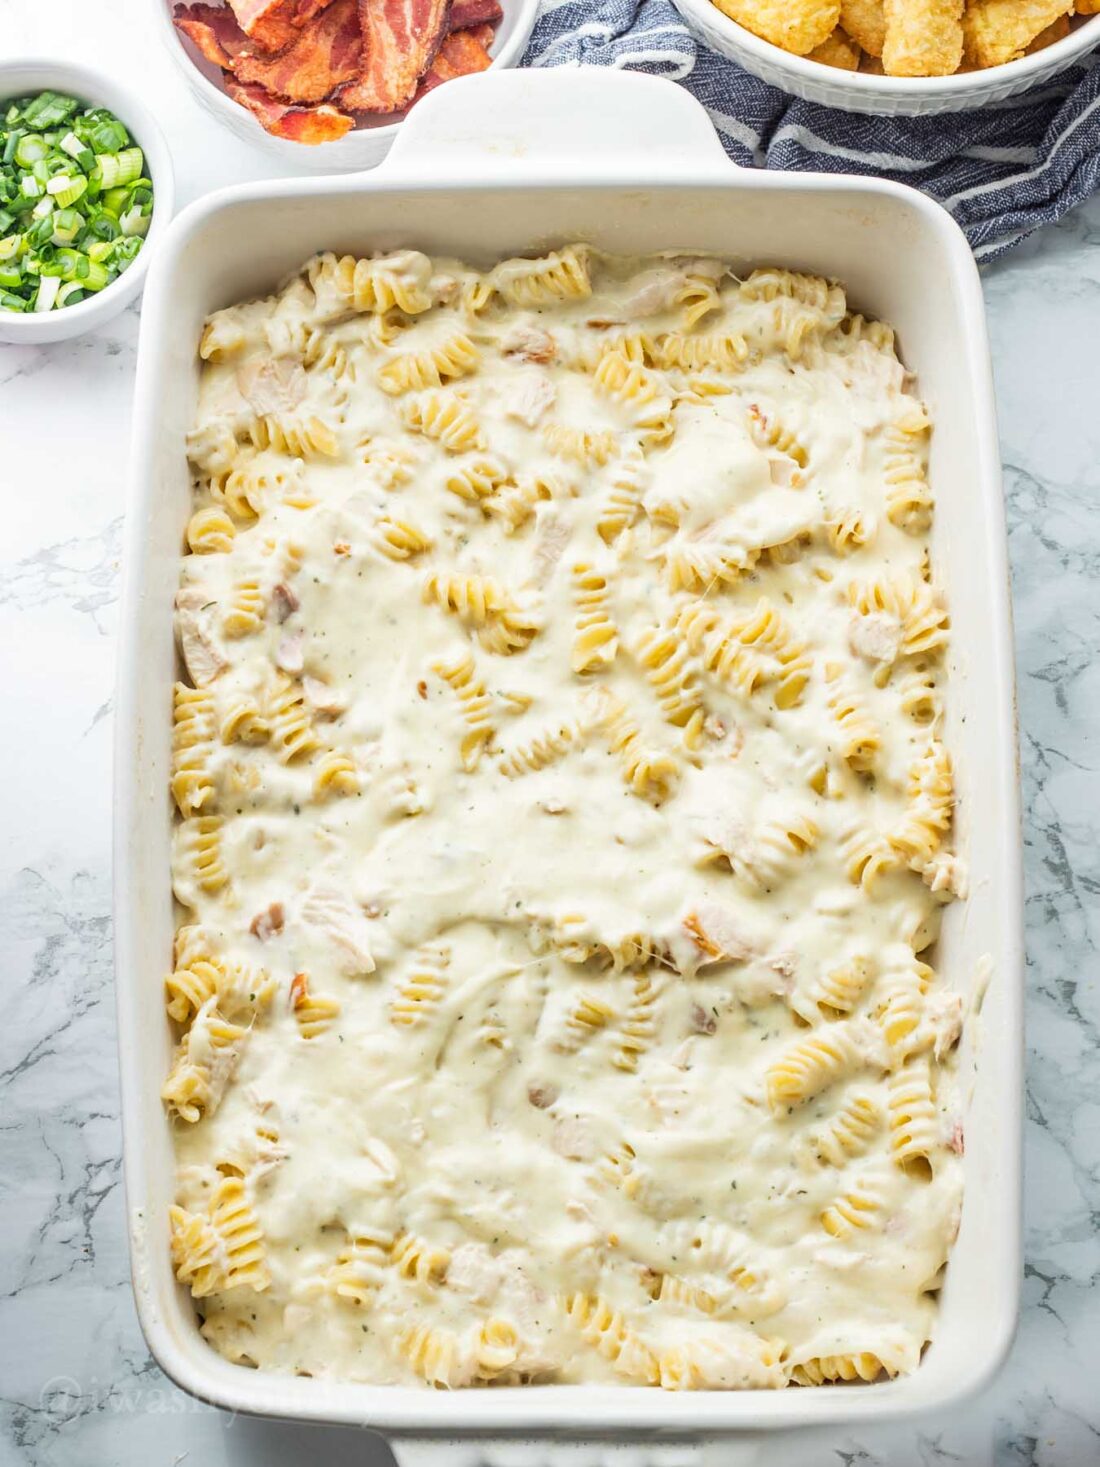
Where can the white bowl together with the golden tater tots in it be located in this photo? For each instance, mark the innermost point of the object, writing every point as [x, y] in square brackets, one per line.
[898, 56]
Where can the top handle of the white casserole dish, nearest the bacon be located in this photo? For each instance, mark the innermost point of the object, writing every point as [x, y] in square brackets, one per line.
[589, 120]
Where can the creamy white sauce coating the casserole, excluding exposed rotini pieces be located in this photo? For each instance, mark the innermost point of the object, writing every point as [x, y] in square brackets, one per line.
[501, 1129]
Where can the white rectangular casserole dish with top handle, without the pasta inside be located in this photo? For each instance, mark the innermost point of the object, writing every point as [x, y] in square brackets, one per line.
[492, 167]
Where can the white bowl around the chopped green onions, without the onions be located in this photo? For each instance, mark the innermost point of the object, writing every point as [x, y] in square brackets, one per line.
[96, 90]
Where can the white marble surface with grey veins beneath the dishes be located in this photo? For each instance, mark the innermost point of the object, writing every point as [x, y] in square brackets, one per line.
[77, 1384]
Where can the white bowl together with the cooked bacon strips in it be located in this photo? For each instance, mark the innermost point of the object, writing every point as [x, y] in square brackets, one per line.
[326, 84]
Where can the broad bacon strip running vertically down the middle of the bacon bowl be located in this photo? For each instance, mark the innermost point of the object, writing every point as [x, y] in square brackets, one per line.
[401, 40]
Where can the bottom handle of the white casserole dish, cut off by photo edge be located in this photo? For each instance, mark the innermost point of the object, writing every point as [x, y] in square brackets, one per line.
[472, 1452]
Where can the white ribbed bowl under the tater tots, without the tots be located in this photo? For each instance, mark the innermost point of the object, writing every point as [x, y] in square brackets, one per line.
[890, 96]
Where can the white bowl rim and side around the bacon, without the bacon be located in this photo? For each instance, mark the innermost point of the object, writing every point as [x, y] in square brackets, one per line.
[367, 144]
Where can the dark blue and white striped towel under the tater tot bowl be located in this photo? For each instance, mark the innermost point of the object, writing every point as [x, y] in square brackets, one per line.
[1002, 171]
